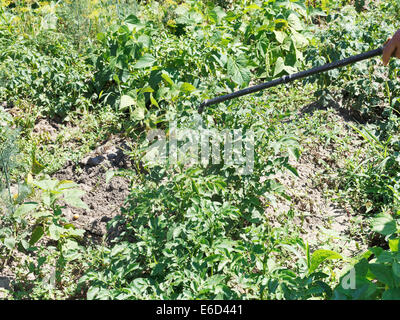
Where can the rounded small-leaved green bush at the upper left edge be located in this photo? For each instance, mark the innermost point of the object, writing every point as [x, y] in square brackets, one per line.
[45, 69]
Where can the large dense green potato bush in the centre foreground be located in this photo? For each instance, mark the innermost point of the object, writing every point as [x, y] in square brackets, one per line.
[184, 240]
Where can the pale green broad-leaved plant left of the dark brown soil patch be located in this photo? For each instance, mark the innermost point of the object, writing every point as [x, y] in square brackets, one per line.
[34, 225]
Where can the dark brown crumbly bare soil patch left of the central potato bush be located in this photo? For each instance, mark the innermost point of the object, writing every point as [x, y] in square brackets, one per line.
[103, 199]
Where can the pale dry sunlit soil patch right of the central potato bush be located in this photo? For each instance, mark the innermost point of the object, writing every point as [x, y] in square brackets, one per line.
[322, 220]
